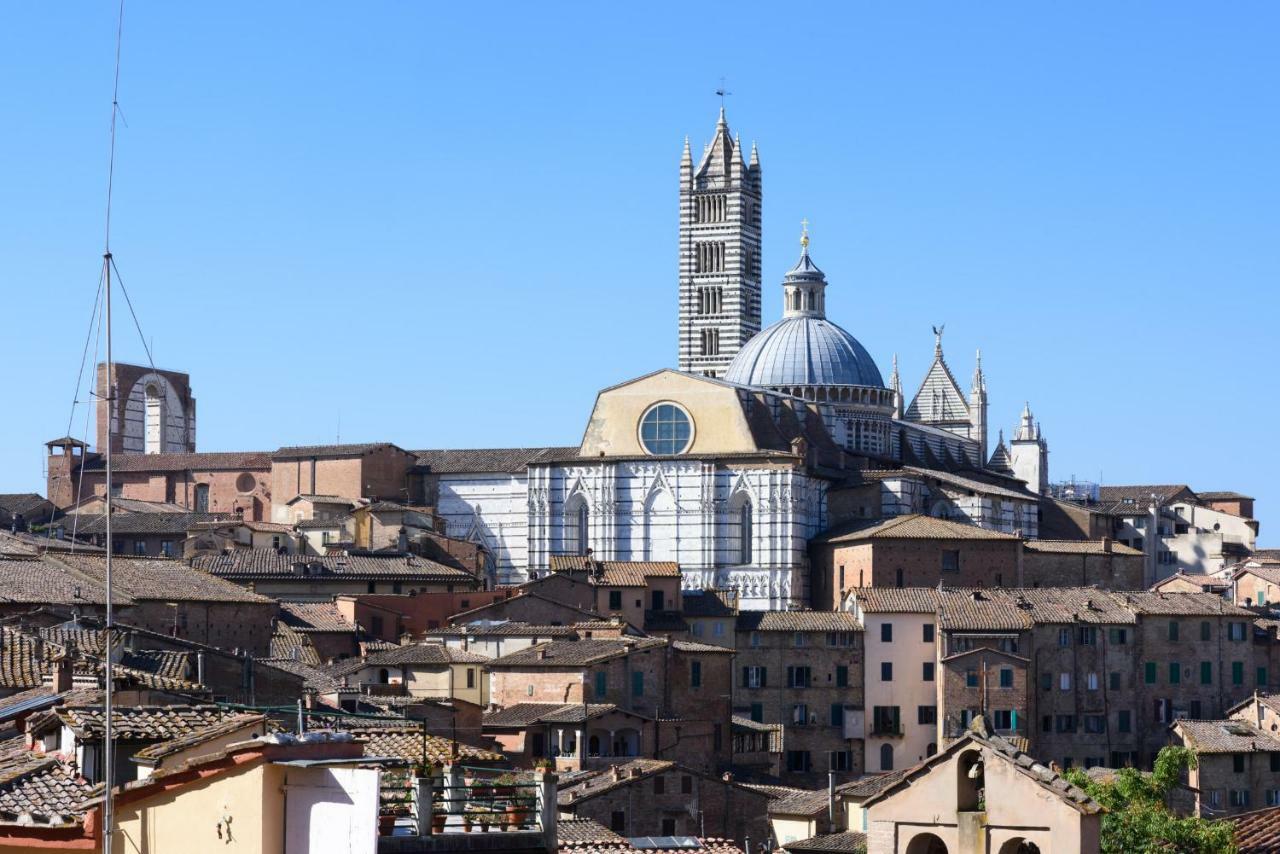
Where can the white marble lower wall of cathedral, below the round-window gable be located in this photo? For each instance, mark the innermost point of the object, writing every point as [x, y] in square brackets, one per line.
[687, 512]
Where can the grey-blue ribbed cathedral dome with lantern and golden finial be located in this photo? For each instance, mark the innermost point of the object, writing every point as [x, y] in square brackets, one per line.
[804, 349]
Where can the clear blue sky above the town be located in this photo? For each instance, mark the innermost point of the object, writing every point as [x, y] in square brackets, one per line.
[451, 225]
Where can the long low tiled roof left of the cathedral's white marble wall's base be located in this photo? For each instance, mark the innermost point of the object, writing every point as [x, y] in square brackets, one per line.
[267, 564]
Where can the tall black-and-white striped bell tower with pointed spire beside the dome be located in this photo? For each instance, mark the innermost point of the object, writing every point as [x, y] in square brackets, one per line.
[720, 254]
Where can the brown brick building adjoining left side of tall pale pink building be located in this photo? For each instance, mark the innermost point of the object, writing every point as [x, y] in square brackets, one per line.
[804, 670]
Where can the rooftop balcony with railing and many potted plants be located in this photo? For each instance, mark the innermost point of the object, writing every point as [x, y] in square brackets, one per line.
[473, 810]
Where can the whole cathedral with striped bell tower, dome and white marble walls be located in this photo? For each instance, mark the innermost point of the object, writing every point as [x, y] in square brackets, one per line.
[729, 465]
